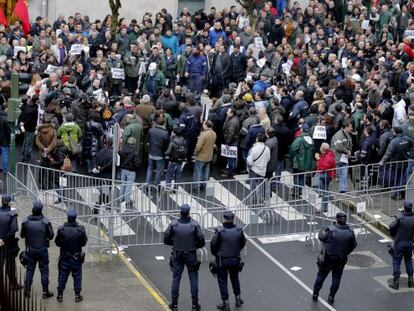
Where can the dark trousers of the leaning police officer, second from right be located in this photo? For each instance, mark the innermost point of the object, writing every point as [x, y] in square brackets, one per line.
[334, 264]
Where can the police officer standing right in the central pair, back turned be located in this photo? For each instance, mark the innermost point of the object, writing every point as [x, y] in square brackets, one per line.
[226, 245]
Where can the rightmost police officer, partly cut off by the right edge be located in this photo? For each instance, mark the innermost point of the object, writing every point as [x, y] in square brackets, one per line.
[402, 230]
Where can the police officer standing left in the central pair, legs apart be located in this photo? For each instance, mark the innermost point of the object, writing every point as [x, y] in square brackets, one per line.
[185, 236]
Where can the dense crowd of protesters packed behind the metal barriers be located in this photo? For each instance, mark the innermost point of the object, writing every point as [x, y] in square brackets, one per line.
[303, 83]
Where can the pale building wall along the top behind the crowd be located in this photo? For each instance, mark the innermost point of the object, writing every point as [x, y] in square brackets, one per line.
[130, 8]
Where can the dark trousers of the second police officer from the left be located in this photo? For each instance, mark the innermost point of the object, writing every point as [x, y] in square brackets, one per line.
[40, 256]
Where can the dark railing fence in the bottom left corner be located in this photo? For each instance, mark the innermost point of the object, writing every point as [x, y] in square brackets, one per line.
[11, 294]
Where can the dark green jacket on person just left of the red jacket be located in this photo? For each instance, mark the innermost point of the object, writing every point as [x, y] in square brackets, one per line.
[302, 153]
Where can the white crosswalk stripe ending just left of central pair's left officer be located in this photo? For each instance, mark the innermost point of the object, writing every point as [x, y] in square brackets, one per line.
[140, 199]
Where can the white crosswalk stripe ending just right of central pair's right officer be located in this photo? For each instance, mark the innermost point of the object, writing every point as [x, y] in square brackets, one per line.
[232, 203]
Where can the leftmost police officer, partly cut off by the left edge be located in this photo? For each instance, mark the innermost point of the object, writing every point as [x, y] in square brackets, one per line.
[8, 242]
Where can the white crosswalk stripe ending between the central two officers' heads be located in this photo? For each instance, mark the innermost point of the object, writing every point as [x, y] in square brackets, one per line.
[182, 197]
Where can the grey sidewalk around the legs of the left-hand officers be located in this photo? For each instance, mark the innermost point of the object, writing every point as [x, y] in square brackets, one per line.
[107, 285]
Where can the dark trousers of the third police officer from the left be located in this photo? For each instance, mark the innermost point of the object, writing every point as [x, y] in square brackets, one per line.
[68, 265]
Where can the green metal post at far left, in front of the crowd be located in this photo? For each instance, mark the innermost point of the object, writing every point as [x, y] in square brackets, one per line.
[13, 113]
